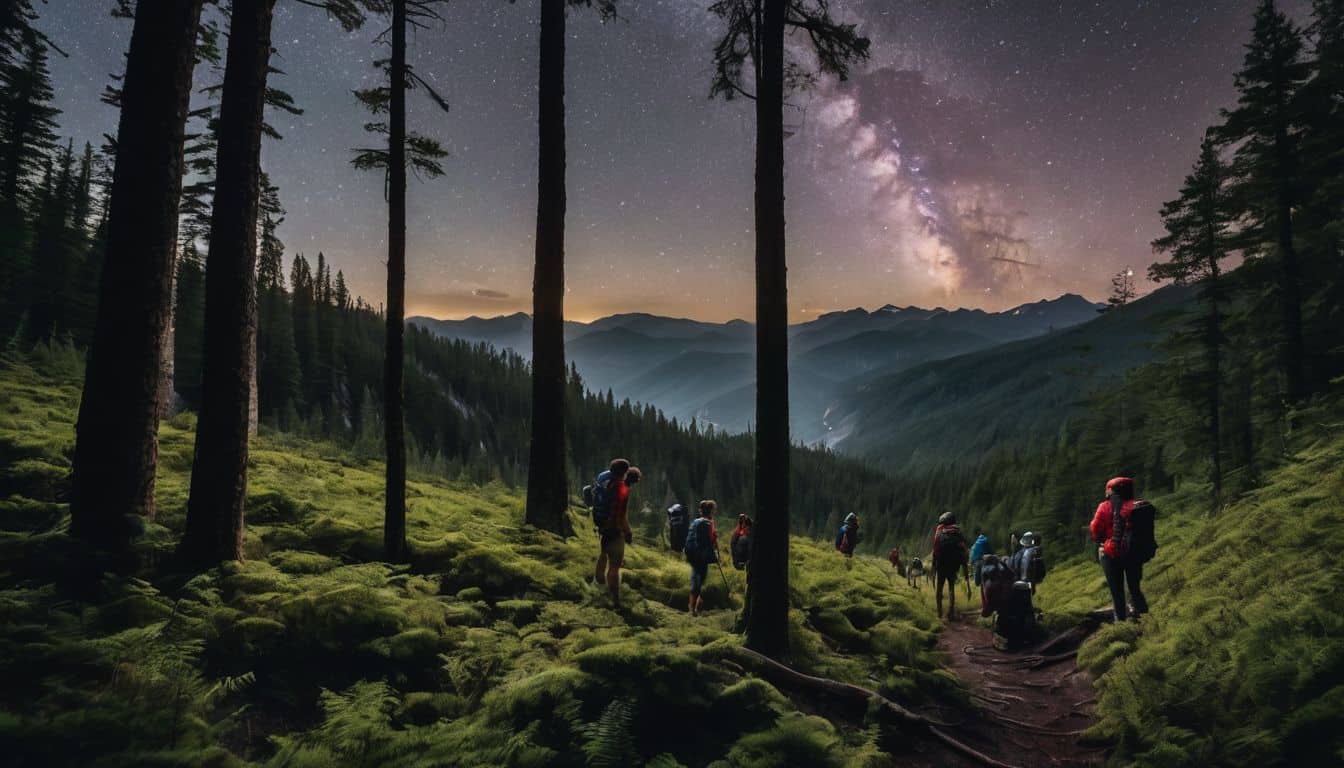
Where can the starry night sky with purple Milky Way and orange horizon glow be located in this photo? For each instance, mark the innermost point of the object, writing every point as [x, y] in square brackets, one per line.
[991, 153]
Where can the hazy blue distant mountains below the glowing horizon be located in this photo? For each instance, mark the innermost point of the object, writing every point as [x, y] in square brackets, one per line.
[693, 369]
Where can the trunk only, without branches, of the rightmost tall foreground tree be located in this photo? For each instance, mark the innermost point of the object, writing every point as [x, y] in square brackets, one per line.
[768, 621]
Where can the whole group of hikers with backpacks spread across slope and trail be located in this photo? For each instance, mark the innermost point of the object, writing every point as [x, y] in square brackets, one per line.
[1123, 528]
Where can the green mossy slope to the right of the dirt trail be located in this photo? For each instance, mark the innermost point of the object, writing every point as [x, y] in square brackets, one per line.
[1241, 661]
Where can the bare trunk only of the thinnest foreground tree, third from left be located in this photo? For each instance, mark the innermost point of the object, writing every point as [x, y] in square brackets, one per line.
[394, 422]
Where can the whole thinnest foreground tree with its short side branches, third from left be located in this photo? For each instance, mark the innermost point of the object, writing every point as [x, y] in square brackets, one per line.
[404, 150]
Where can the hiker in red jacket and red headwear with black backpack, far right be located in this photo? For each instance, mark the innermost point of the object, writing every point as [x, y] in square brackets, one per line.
[1124, 531]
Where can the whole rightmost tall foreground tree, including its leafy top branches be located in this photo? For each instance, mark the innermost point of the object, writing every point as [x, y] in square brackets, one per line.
[756, 33]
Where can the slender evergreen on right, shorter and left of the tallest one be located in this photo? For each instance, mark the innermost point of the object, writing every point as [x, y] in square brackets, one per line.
[1200, 237]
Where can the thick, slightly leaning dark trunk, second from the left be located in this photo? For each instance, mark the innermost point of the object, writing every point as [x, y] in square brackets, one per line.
[220, 471]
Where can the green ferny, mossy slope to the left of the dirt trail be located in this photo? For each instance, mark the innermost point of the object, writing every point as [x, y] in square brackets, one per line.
[490, 649]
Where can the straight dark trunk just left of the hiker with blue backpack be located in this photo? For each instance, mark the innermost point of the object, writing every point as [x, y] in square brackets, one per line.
[548, 489]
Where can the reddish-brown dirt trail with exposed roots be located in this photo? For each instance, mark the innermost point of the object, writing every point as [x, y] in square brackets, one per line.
[1027, 718]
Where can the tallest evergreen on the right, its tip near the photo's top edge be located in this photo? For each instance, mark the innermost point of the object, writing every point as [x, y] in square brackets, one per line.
[1265, 128]
